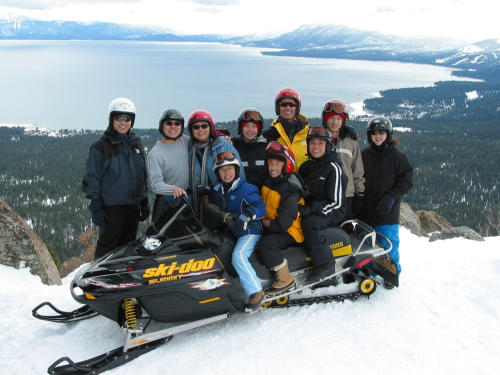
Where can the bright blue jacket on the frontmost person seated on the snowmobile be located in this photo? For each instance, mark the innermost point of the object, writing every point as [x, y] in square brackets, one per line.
[240, 196]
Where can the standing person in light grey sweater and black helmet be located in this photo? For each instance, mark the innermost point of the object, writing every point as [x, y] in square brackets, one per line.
[168, 163]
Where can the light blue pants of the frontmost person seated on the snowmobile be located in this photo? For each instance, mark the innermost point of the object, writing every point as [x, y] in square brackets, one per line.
[242, 251]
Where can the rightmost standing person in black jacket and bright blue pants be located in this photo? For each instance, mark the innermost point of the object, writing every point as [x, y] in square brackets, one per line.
[388, 176]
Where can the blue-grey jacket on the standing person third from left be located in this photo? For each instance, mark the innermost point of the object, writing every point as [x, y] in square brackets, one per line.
[214, 148]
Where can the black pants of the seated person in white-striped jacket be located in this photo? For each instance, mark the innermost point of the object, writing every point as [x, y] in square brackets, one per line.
[316, 240]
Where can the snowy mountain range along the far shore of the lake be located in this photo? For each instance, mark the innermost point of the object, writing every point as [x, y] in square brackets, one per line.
[477, 60]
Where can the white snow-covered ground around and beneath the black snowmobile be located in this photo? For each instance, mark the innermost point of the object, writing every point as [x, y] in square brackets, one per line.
[442, 319]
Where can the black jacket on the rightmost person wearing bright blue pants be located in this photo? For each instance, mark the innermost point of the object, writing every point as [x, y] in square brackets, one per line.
[387, 170]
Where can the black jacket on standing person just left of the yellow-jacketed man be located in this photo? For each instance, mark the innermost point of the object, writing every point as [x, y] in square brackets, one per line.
[253, 158]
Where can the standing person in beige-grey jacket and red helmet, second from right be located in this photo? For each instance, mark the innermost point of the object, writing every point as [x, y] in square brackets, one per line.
[335, 117]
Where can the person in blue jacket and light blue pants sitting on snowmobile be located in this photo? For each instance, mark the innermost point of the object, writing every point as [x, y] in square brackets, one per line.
[243, 207]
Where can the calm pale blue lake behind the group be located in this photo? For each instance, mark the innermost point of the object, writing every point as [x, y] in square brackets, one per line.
[68, 84]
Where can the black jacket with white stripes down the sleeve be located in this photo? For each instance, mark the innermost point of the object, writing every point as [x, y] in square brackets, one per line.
[327, 185]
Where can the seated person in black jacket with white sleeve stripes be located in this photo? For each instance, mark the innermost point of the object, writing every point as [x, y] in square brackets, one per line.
[325, 204]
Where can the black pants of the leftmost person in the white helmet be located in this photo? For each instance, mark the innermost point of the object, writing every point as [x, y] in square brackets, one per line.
[120, 228]
